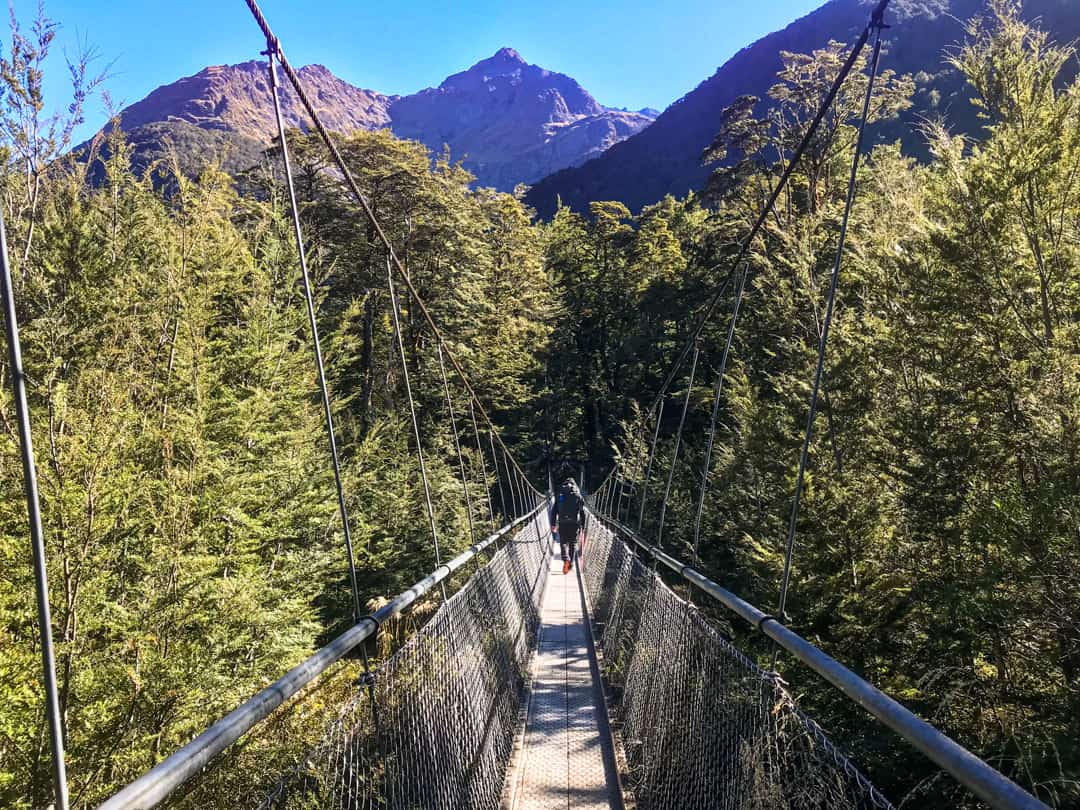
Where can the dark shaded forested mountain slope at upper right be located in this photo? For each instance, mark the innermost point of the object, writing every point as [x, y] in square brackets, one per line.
[666, 159]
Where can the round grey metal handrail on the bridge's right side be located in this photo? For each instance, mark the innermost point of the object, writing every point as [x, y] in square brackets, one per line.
[991, 786]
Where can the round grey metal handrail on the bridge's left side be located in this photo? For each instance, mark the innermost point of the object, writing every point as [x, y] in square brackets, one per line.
[156, 786]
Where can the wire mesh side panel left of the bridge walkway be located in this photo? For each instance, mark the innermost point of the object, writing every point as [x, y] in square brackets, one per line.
[438, 728]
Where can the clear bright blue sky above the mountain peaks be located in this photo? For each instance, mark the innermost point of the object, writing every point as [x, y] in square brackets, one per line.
[628, 53]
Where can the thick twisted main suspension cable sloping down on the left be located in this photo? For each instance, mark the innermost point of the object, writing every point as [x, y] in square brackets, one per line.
[275, 45]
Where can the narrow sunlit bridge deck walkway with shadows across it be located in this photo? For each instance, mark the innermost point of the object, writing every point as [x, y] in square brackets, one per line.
[565, 758]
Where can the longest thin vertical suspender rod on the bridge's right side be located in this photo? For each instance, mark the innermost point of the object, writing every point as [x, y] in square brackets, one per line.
[825, 332]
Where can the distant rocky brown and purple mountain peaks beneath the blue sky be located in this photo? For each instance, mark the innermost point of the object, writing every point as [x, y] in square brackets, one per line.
[508, 121]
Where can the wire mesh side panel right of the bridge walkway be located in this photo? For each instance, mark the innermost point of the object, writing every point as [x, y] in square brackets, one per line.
[701, 725]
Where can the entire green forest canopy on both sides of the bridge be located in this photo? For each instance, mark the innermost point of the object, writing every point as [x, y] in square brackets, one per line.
[188, 502]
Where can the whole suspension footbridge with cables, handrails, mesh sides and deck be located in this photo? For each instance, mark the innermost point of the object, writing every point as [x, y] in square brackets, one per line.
[531, 688]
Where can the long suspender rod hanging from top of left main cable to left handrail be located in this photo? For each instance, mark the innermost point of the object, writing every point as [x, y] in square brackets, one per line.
[272, 53]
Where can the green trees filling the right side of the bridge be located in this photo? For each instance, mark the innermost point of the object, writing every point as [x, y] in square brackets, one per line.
[937, 548]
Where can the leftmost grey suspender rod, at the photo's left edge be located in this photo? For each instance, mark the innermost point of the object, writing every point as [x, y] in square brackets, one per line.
[37, 535]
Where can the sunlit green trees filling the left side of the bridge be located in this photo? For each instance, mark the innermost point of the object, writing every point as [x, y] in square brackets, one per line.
[193, 533]
